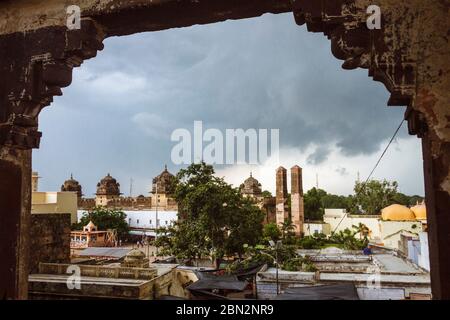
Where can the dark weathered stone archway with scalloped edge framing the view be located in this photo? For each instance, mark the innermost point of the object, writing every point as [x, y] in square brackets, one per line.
[409, 54]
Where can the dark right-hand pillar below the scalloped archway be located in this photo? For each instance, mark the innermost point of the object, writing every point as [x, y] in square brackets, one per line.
[436, 158]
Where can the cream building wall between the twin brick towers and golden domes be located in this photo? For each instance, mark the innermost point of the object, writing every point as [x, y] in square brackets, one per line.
[334, 216]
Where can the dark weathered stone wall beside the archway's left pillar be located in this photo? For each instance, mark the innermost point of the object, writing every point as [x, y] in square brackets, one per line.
[49, 239]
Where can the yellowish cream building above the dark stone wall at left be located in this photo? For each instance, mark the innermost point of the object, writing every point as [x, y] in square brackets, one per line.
[55, 202]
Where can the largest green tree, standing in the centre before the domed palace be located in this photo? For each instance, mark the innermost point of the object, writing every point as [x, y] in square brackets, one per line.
[221, 219]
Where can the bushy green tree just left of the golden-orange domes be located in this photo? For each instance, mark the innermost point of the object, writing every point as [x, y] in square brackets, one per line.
[370, 198]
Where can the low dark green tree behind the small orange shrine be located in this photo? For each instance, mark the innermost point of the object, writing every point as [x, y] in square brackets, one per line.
[104, 219]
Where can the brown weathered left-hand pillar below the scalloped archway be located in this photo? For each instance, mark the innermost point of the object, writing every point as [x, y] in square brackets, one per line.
[15, 207]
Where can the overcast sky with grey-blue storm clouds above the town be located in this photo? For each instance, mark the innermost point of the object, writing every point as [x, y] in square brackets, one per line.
[262, 73]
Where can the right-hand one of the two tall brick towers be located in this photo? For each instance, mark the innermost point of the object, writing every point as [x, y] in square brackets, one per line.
[297, 205]
